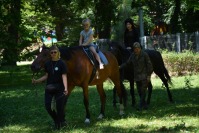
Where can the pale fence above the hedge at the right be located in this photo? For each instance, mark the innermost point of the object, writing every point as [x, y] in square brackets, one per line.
[173, 42]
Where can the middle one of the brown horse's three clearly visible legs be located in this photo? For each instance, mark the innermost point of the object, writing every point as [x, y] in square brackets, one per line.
[102, 99]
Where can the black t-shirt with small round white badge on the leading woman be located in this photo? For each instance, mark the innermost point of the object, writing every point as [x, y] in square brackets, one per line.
[55, 69]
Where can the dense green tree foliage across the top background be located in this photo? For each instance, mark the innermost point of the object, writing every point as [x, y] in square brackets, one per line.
[22, 22]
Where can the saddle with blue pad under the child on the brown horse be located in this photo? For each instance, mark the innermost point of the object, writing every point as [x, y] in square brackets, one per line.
[94, 61]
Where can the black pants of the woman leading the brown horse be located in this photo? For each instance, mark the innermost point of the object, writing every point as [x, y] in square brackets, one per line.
[58, 116]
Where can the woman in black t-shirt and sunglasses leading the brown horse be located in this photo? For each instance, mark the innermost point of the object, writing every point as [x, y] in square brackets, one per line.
[55, 74]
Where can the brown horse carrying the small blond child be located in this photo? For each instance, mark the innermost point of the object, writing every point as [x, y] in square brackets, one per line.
[79, 71]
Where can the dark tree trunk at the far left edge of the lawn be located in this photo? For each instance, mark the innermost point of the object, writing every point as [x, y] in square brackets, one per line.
[11, 53]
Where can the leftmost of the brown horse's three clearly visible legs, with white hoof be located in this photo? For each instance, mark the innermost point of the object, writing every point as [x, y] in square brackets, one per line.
[86, 104]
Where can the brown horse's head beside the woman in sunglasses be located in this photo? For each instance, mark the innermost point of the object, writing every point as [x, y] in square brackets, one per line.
[39, 62]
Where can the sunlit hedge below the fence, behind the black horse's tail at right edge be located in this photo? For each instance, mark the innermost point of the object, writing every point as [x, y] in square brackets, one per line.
[180, 64]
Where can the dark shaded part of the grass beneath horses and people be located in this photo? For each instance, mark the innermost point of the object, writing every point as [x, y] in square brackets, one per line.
[20, 106]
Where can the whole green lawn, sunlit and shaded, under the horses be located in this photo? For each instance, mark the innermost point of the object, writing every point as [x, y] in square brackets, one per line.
[22, 108]
